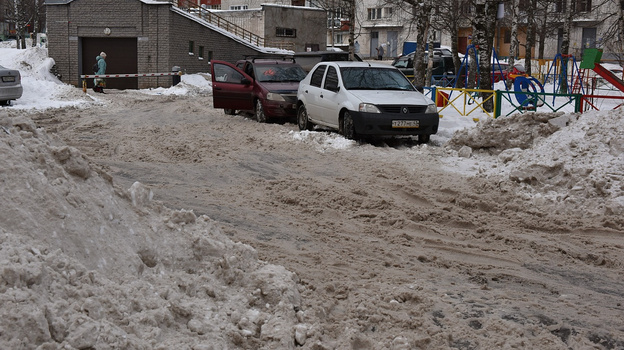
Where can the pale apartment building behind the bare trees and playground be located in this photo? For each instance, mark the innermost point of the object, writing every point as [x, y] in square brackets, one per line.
[378, 23]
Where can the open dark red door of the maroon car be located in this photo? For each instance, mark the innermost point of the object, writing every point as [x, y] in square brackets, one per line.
[231, 87]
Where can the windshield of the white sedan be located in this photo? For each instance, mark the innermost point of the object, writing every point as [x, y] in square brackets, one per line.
[367, 78]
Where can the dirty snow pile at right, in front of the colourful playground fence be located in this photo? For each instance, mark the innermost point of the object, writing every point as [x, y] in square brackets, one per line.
[573, 162]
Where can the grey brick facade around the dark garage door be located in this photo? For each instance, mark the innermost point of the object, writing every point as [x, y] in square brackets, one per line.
[162, 35]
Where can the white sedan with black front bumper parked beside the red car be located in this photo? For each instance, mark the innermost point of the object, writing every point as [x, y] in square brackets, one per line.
[361, 99]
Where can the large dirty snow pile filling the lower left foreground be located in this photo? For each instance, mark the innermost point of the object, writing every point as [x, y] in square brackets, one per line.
[87, 265]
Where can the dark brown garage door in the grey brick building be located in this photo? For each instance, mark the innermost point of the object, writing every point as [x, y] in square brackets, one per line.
[121, 58]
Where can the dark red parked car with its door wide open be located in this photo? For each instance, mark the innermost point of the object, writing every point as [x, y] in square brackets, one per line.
[266, 87]
